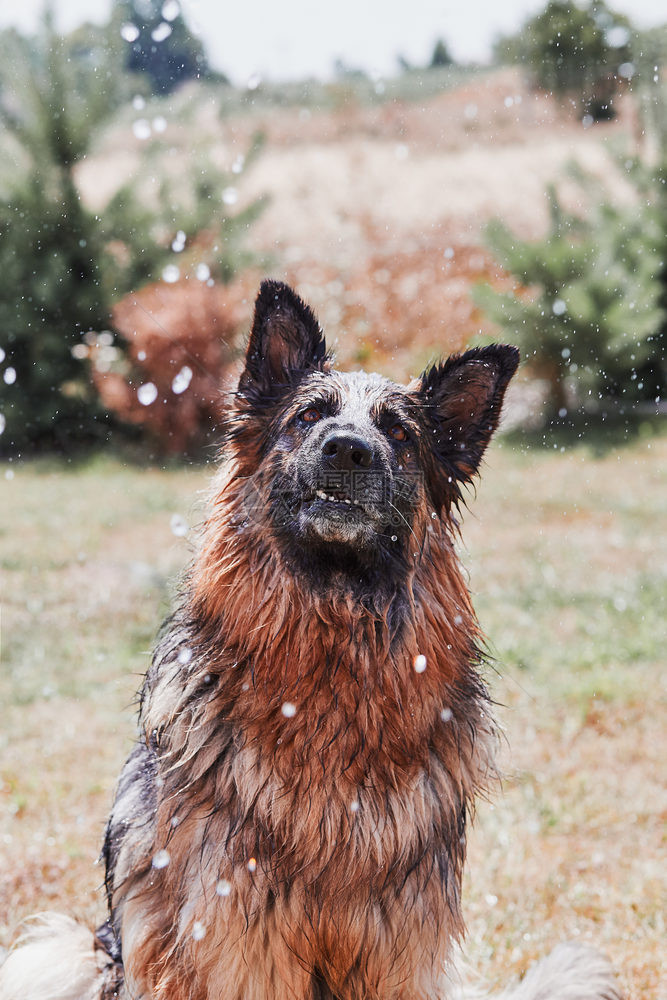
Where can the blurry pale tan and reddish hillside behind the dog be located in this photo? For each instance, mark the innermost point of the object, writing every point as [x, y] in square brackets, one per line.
[376, 211]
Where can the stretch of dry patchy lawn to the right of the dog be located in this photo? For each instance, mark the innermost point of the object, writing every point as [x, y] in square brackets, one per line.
[569, 560]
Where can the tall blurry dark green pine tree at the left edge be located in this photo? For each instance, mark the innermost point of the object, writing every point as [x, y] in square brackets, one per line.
[49, 255]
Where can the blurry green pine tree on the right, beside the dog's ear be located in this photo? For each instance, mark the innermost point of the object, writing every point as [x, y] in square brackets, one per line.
[590, 302]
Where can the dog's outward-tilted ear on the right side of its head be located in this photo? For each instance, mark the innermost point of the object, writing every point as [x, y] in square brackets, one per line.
[462, 399]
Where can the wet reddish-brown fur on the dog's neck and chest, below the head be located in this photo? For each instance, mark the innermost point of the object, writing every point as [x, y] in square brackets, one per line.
[369, 734]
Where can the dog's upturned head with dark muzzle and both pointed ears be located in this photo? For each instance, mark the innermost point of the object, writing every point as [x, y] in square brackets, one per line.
[346, 469]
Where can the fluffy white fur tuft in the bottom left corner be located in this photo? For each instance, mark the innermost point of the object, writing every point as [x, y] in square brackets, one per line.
[53, 959]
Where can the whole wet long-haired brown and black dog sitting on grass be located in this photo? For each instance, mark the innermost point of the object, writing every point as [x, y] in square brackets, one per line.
[314, 726]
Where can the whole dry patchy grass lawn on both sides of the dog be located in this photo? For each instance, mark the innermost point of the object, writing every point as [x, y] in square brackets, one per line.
[566, 554]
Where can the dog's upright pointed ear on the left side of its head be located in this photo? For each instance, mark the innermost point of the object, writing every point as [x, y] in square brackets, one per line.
[285, 343]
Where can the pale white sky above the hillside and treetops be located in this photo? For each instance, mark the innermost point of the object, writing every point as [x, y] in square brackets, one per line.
[294, 39]
